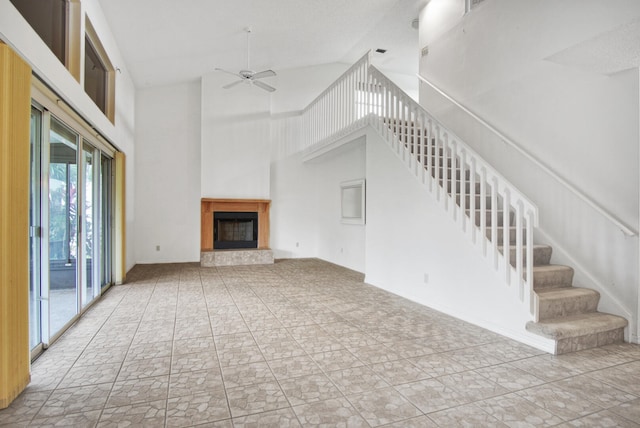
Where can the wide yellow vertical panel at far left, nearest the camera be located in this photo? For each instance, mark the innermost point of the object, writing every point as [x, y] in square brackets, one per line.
[15, 107]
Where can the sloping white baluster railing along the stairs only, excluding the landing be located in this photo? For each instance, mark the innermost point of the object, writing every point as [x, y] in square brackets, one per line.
[436, 155]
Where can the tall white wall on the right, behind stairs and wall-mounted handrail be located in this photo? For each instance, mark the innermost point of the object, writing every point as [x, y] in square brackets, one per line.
[529, 80]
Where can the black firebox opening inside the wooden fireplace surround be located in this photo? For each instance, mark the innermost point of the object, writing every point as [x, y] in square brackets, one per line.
[235, 230]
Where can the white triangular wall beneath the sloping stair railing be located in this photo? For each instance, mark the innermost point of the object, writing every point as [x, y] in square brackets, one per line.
[427, 241]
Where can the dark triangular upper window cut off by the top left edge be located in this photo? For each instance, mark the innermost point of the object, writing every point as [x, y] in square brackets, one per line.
[49, 19]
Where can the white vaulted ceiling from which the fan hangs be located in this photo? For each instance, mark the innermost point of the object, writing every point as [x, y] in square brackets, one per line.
[166, 41]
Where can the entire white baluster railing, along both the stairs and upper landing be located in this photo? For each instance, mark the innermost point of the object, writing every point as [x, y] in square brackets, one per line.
[492, 212]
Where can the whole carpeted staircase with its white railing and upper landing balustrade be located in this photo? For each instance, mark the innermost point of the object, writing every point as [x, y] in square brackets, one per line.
[490, 210]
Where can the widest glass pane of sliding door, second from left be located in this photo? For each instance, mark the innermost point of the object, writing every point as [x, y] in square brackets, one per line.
[63, 226]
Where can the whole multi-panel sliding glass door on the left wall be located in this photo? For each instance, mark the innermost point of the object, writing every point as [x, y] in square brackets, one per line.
[70, 251]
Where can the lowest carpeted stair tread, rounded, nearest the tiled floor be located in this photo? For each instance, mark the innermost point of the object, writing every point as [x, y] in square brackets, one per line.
[577, 325]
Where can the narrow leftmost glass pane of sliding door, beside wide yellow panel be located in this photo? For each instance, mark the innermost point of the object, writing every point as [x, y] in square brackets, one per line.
[35, 309]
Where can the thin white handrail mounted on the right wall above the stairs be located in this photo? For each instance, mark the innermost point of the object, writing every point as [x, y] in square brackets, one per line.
[626, 229]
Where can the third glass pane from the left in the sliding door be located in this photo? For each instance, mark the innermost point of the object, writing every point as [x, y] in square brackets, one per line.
[87, 220]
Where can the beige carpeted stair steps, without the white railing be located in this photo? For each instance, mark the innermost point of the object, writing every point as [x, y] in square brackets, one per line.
[566, 314]
